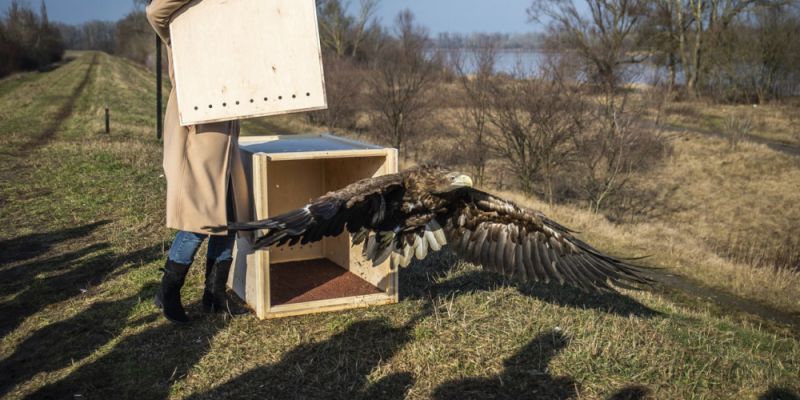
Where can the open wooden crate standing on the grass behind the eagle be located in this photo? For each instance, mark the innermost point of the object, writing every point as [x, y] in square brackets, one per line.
[286, 172]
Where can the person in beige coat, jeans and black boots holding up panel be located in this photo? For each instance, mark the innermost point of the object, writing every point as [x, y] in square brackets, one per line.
[206, 186]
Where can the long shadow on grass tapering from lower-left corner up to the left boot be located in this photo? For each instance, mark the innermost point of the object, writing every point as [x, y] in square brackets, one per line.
[57, 345]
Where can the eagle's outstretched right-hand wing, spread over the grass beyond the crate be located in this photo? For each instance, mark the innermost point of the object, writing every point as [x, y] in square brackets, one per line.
[524, 244]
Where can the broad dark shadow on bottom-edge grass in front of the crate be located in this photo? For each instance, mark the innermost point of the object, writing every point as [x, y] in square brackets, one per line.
[336, 368]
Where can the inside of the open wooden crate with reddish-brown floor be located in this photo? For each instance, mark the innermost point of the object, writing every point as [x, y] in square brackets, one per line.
[322, 270]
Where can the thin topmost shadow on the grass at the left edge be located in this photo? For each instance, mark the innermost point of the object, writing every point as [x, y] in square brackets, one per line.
[33, 245]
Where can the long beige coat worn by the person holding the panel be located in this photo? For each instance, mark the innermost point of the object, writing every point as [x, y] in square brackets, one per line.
[200, 161]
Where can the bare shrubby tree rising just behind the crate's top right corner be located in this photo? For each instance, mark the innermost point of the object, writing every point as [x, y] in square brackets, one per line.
[400, 85]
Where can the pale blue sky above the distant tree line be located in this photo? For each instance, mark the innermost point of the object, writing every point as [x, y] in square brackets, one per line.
[463, 16]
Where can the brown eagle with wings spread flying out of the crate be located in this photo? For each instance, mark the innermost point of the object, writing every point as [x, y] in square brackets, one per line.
[421, 210]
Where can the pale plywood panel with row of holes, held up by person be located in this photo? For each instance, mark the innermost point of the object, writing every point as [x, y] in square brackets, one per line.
[246, 58]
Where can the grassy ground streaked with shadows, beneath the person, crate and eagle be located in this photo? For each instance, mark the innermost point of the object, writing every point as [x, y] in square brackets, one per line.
[84, 236]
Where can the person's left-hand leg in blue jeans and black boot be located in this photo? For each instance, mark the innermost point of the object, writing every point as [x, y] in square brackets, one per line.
[181, 255]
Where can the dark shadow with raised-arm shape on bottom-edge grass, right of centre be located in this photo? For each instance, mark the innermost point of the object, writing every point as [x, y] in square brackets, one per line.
[525, 375]
